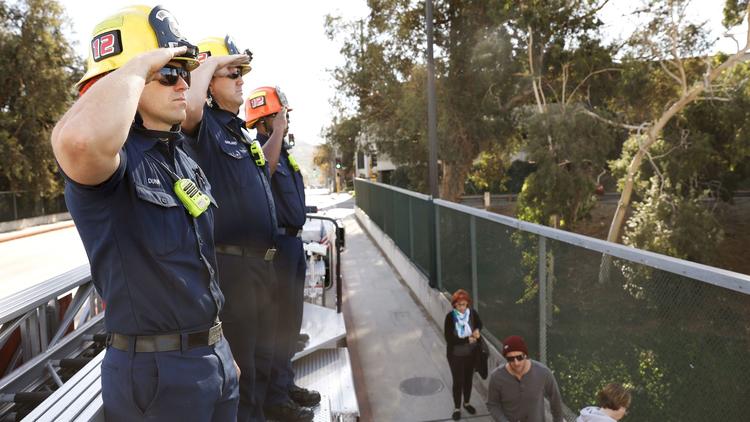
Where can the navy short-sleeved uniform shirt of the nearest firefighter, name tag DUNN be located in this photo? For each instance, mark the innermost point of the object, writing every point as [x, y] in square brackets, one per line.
[152, 263]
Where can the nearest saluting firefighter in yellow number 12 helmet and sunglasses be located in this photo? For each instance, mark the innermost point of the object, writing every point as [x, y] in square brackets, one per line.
[144, 212]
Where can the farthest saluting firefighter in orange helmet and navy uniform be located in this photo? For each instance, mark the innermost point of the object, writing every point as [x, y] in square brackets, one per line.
[288, 189]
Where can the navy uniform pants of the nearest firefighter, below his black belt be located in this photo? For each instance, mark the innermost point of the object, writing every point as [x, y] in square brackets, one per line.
[199, 384]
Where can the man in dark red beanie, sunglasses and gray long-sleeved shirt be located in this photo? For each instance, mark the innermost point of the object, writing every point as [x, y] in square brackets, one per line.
[518, 388]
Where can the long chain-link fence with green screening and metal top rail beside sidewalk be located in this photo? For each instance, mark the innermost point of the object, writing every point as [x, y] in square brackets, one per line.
[677, 332]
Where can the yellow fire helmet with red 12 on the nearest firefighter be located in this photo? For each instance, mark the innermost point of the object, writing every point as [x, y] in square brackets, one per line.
[132, 31]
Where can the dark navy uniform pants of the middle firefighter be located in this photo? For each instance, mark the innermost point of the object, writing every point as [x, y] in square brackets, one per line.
[249, 321]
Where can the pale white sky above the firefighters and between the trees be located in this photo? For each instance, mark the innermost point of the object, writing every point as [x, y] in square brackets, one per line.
[289, 44]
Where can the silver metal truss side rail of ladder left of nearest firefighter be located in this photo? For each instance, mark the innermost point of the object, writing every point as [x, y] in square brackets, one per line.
[45, 329]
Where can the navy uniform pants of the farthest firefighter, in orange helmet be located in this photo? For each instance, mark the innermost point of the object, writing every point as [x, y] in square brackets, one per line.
[290, 268]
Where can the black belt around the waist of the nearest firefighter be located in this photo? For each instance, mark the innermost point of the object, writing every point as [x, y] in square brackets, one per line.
[166, 342]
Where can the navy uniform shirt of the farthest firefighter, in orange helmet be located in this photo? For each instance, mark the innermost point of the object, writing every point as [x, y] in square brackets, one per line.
[288, 191]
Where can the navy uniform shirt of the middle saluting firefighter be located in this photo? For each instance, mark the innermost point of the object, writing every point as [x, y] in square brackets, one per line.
[246, 216]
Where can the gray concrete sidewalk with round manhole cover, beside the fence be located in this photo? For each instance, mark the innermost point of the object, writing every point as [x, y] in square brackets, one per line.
[398, 354]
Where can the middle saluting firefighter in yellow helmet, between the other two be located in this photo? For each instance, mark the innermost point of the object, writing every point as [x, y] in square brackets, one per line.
[245, 223]
